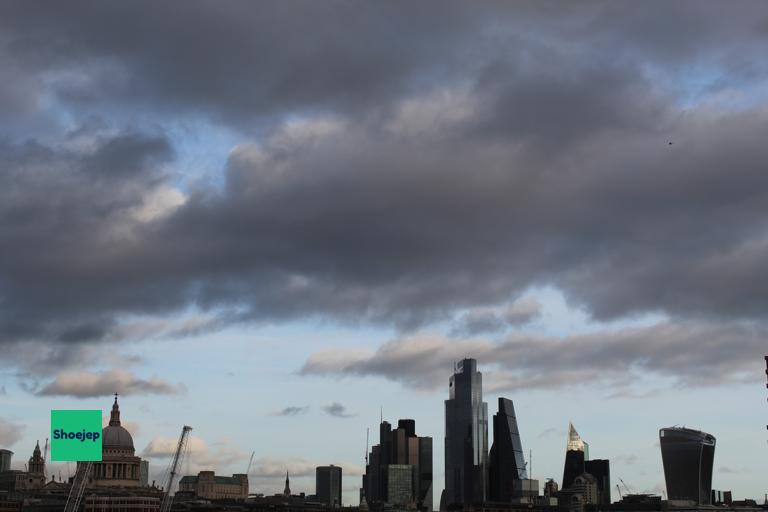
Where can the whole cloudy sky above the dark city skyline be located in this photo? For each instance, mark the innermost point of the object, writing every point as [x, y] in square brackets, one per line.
[268, 221]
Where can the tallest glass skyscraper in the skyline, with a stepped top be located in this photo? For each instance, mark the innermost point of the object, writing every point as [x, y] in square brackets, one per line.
[466, 437]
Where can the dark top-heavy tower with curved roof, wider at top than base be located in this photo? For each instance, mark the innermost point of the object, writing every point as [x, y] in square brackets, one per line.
[688, 456]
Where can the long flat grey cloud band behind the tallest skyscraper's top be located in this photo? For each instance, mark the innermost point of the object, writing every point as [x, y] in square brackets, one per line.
[675, 351]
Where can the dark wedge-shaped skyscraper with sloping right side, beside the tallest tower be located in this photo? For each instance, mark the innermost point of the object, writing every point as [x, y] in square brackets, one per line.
[506, 461]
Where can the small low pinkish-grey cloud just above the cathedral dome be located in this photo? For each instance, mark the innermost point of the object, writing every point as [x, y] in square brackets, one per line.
[93, 384]
